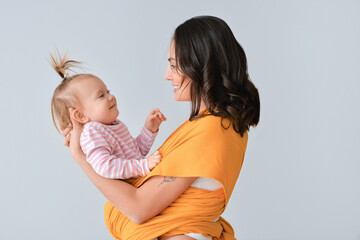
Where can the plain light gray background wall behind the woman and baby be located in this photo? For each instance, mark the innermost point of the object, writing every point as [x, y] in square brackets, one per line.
[300, 178]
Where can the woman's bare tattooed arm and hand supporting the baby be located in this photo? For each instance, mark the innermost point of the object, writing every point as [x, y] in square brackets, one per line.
[138, 204]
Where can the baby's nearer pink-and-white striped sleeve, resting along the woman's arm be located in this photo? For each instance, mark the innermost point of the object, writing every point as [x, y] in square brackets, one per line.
[96, 144]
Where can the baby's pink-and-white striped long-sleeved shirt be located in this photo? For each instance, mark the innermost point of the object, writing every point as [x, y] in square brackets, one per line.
[113, 152]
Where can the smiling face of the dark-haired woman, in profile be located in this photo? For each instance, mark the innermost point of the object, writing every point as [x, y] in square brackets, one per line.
[174, 75]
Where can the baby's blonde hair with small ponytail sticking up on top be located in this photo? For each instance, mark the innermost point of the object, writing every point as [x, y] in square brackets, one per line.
[64, 97]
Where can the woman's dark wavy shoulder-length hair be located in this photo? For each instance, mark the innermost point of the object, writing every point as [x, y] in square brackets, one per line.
[207, 52]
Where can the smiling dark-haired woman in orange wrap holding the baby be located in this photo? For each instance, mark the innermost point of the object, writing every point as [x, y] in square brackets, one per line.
[183, 197]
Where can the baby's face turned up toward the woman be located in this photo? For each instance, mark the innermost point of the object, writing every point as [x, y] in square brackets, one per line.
[97, 102]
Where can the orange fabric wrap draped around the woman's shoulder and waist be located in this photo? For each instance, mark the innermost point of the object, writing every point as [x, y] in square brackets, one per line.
[200, 148]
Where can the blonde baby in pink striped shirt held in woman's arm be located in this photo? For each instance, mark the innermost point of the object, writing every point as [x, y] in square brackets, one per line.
[105, 140]
